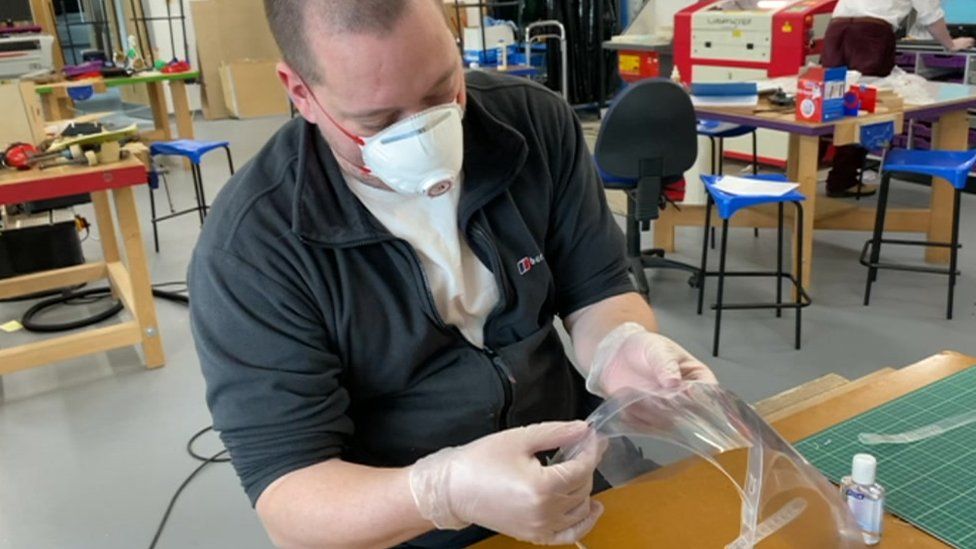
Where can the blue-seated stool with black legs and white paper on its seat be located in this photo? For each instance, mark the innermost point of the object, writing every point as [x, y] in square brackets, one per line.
[728, 205]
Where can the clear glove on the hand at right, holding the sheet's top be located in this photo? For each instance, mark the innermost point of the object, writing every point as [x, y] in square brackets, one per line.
[631, 356]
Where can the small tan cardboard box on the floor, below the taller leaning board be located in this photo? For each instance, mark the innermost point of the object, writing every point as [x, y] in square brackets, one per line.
[251, 89]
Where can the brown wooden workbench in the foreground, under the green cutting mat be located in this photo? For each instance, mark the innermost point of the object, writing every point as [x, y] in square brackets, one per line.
[655, 512]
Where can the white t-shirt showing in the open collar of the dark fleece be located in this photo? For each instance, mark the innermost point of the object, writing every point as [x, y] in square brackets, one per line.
[464, 290]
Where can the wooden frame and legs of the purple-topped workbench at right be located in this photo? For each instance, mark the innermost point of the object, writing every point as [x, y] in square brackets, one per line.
[951, 132]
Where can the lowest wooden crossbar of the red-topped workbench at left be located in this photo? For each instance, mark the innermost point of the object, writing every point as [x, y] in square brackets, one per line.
[63, 348]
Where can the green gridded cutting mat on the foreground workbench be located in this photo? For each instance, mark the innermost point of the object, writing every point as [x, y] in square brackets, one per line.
[930, 483]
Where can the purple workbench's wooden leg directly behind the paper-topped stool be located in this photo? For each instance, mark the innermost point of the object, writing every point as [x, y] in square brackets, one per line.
[804, 156]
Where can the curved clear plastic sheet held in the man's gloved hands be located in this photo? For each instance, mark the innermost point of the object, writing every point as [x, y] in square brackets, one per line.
[785, 501]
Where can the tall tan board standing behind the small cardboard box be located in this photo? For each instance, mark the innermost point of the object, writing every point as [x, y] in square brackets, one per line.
[227, 31]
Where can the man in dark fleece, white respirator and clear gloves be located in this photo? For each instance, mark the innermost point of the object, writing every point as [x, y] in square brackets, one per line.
[375, 320]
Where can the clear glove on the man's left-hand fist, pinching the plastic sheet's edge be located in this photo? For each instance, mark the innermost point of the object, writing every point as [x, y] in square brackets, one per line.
[498, 483]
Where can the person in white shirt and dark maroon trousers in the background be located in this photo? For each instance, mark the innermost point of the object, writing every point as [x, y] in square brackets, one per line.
[861, 37]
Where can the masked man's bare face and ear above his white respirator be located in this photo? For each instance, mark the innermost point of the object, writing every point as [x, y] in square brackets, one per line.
[370, 82]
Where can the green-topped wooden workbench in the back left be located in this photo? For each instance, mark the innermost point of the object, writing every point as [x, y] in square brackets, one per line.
[56, 100]
